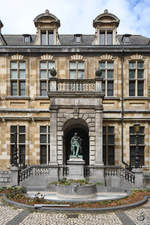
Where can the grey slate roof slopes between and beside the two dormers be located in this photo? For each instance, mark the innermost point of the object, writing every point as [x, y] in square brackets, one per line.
[69, 39]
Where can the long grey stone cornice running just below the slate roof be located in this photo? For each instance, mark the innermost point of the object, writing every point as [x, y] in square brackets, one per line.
[73, 50]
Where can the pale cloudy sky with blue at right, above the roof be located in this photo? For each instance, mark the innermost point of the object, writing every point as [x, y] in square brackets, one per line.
[76, 16]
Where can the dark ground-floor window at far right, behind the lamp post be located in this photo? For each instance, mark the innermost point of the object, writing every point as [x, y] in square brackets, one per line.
[140, 143]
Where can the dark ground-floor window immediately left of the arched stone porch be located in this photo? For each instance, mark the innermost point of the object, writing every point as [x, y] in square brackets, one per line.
[44, 144]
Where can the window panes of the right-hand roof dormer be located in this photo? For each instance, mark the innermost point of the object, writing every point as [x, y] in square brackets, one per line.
[106, 38]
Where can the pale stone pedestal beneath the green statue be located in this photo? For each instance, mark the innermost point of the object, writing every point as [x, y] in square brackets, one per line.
[75, 168]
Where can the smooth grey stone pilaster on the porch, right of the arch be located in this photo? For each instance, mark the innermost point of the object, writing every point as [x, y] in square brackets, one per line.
[99, 138]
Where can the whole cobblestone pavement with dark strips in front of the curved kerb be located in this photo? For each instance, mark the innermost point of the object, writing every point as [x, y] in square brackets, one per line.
[13, 216]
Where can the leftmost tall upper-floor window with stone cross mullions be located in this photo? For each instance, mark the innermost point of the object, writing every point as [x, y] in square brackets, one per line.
[18, 78]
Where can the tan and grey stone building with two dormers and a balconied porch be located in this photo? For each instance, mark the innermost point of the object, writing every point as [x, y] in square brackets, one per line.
[101, 89]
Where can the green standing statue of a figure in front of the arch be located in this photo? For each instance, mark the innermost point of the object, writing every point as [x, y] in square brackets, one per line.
[75, 145]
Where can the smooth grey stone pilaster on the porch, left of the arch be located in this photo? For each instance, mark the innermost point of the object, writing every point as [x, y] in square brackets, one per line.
[53, 137]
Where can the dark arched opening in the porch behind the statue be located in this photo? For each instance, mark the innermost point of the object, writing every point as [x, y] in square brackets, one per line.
[70, 127]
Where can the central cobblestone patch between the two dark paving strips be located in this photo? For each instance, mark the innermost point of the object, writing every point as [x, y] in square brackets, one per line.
[64, 219]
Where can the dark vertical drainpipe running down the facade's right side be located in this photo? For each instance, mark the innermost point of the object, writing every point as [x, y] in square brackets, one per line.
[122, 109]
